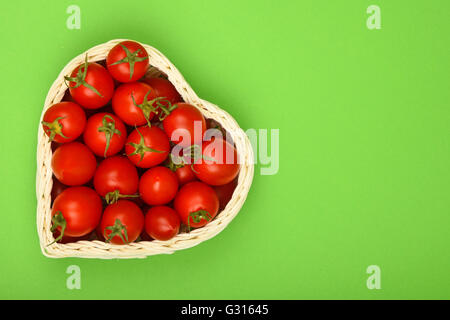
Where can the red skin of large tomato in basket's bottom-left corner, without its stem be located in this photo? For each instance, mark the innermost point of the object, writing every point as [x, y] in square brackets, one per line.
[81, 207]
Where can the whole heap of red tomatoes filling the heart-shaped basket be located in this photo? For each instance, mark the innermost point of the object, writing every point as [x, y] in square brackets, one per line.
[115, 138]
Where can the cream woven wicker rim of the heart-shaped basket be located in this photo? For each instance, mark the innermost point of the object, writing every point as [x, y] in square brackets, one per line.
[102, 250]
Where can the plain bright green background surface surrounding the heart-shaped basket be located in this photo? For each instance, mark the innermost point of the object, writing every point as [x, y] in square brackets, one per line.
[364, 146]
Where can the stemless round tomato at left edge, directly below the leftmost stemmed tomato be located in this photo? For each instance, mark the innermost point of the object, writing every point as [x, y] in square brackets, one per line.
[73, 164]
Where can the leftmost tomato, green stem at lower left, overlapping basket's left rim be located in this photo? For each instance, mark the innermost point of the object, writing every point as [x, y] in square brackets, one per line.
[64, 122]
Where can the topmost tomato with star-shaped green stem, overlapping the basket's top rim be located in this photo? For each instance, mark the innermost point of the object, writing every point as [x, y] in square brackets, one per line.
[127, 61]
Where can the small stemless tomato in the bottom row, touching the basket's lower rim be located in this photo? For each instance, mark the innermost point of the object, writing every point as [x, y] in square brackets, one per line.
[162, 223]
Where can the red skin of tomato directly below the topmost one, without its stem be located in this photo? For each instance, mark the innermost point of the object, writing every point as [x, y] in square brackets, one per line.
[124, 107]
